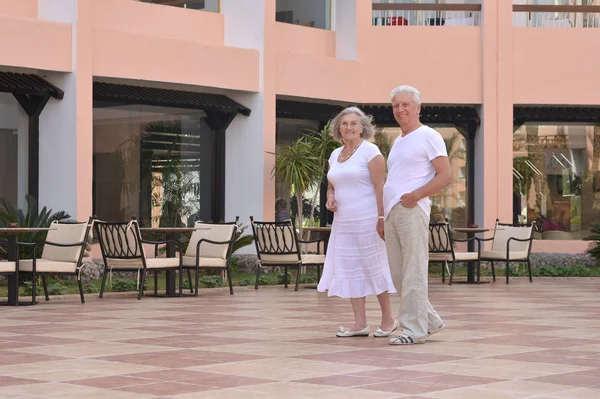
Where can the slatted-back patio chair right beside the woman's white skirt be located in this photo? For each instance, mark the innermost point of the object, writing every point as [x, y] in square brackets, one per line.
[277, 244]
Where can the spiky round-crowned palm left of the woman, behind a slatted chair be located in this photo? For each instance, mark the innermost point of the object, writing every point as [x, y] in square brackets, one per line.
[300, 167]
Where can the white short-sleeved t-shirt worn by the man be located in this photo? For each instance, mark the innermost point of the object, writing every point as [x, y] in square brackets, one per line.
[409, 166]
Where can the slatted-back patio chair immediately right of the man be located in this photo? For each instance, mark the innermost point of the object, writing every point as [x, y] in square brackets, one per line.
[441, 249]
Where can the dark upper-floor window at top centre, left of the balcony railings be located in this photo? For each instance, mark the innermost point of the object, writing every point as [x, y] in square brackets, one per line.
[313, 13]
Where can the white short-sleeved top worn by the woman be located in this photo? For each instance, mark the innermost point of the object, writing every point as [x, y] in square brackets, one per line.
[354, 191]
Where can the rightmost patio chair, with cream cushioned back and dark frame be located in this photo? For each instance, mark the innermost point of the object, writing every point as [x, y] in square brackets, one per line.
[511, 243]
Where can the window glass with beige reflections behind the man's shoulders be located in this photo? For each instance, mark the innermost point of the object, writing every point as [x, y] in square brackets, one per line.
[451, 202]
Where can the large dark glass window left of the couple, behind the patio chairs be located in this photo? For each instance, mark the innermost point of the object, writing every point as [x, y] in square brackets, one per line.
[153, 162]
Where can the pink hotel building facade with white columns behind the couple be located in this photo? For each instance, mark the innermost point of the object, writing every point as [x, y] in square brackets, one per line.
[132, 75]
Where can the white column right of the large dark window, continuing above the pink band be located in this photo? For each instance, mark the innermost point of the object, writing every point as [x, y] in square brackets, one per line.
[245, 141]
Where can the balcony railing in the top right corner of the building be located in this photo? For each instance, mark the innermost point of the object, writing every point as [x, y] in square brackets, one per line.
[556, 16]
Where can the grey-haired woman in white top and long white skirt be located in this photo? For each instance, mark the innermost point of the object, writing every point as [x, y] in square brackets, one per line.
[356, 264]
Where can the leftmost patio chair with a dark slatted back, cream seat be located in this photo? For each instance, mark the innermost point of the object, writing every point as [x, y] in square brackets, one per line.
[122, 249]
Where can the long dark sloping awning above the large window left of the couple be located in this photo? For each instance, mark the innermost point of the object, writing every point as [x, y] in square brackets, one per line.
[125, 94]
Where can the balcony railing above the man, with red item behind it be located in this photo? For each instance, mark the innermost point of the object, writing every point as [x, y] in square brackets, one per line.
[426, 14]
